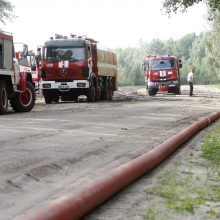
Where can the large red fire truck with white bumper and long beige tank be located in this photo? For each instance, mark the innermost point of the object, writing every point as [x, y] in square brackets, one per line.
[74, 66]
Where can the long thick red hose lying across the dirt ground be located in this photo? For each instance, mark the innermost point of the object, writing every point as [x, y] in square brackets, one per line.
[75, 205]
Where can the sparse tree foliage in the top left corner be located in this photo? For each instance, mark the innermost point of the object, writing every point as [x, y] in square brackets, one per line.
[6, 11]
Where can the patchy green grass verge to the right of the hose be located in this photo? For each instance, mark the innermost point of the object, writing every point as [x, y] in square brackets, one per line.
[194, 190]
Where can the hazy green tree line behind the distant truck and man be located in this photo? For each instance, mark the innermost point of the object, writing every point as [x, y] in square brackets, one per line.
[195, 52]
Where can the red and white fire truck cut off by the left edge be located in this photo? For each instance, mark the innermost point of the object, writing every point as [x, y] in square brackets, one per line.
[16, 82]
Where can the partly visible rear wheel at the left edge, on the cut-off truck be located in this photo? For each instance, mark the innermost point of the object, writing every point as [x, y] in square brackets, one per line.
[3, 98]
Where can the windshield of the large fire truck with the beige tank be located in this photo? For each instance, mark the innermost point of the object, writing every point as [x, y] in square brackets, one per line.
[65, 53]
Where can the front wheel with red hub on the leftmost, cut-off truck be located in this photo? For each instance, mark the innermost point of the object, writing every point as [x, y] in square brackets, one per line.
[24, 102]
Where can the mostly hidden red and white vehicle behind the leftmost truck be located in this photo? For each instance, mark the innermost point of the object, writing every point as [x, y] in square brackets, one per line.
[34, 68]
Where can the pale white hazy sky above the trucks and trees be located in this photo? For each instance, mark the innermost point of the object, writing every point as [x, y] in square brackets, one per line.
[114, 23]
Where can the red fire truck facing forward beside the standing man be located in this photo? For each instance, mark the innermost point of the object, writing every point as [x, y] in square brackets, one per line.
[162, 74]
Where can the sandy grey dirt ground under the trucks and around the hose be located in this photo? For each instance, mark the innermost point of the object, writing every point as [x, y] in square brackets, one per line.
[61, 147]
